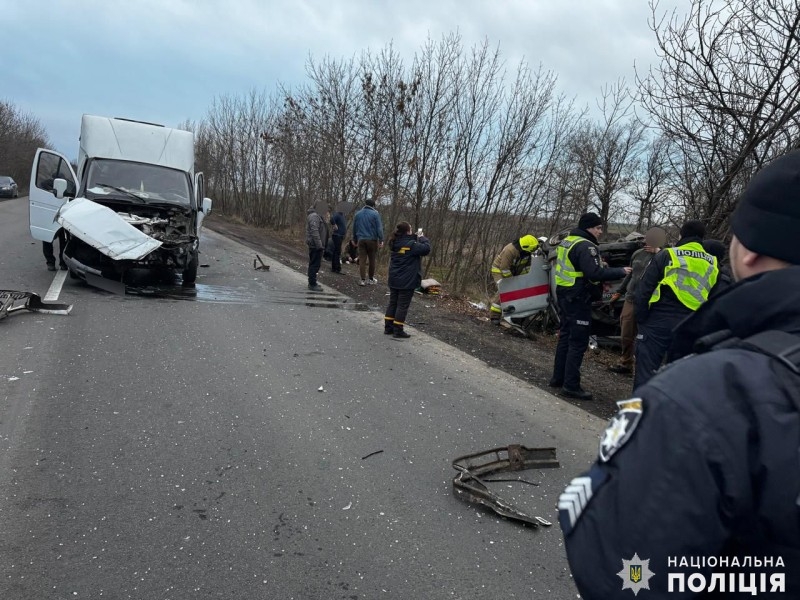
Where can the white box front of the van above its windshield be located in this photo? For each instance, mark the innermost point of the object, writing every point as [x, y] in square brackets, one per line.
[122, 139]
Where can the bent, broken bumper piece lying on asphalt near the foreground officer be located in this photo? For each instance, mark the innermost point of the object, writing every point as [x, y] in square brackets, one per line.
[475, 471]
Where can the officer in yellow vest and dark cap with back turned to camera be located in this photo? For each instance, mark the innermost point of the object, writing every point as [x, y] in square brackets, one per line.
[676, 282]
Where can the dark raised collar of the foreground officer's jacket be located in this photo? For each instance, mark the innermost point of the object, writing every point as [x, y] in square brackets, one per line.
[766, 301]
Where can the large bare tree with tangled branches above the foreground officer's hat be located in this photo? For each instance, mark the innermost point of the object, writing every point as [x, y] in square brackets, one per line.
[726, 93]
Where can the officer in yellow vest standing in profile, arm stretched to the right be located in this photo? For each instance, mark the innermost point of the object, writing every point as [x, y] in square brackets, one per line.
[577, 272]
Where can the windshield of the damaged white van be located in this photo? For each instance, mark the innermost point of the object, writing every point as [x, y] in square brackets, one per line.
[131, 180]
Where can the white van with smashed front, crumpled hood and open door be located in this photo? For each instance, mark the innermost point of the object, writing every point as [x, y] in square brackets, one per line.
[135, 202]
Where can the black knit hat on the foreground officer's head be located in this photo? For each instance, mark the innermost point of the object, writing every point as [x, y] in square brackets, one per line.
[767, 219]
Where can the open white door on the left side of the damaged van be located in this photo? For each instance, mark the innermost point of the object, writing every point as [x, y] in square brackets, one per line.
[44, 200]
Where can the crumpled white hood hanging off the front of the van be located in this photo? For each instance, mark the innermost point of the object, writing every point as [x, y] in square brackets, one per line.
[102, 228]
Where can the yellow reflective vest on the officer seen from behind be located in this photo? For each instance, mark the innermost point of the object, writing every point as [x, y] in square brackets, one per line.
[691, 274]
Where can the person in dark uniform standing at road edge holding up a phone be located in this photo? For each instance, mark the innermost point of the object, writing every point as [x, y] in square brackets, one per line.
[405, 275]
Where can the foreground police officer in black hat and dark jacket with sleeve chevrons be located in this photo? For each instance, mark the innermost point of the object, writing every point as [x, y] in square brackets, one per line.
[697, 481]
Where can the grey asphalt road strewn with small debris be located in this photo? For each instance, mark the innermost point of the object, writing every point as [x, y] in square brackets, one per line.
[169, 447]
